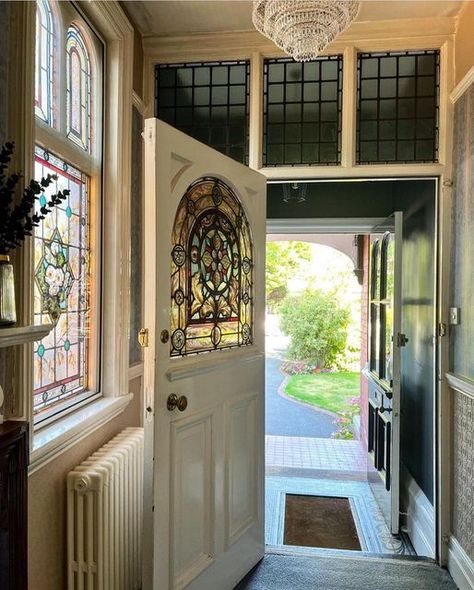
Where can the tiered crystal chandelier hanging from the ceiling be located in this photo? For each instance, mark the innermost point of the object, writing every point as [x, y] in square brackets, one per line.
[303, 28]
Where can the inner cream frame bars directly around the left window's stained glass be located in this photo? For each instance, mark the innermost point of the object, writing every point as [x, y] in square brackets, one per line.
[57, 141]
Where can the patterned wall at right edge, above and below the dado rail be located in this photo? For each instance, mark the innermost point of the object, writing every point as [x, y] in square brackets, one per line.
[462, 336]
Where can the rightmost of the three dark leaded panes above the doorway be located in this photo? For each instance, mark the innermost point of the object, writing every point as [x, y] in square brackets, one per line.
[399, 92]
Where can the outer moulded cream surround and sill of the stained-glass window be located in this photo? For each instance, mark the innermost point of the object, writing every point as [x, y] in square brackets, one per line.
[111, 23]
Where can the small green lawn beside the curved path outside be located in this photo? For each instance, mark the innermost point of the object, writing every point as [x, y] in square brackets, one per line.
[330, 391]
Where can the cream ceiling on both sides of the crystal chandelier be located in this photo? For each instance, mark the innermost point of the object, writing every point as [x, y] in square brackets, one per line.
[166, 17]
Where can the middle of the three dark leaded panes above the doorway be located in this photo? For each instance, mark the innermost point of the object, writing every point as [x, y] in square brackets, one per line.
[297, 94]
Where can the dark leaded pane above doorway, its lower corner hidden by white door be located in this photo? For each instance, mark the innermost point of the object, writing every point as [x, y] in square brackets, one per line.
[197, 96]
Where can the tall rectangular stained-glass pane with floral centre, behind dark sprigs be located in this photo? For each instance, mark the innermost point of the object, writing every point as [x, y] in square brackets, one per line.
[61, 287]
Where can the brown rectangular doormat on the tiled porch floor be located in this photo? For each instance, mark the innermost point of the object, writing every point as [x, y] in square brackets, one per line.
[320, 521]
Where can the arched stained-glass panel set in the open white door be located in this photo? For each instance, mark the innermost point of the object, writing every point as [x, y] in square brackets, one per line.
[211, 271]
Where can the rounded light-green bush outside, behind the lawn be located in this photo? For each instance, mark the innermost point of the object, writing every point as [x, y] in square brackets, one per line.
[317, 326]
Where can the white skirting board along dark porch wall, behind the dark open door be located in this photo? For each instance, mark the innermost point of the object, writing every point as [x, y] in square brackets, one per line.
[420, 523]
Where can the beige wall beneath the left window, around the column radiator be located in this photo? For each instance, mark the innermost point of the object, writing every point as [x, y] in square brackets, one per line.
[47, 543]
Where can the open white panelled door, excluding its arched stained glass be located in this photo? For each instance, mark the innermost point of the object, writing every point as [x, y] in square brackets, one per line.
[206, 527]
